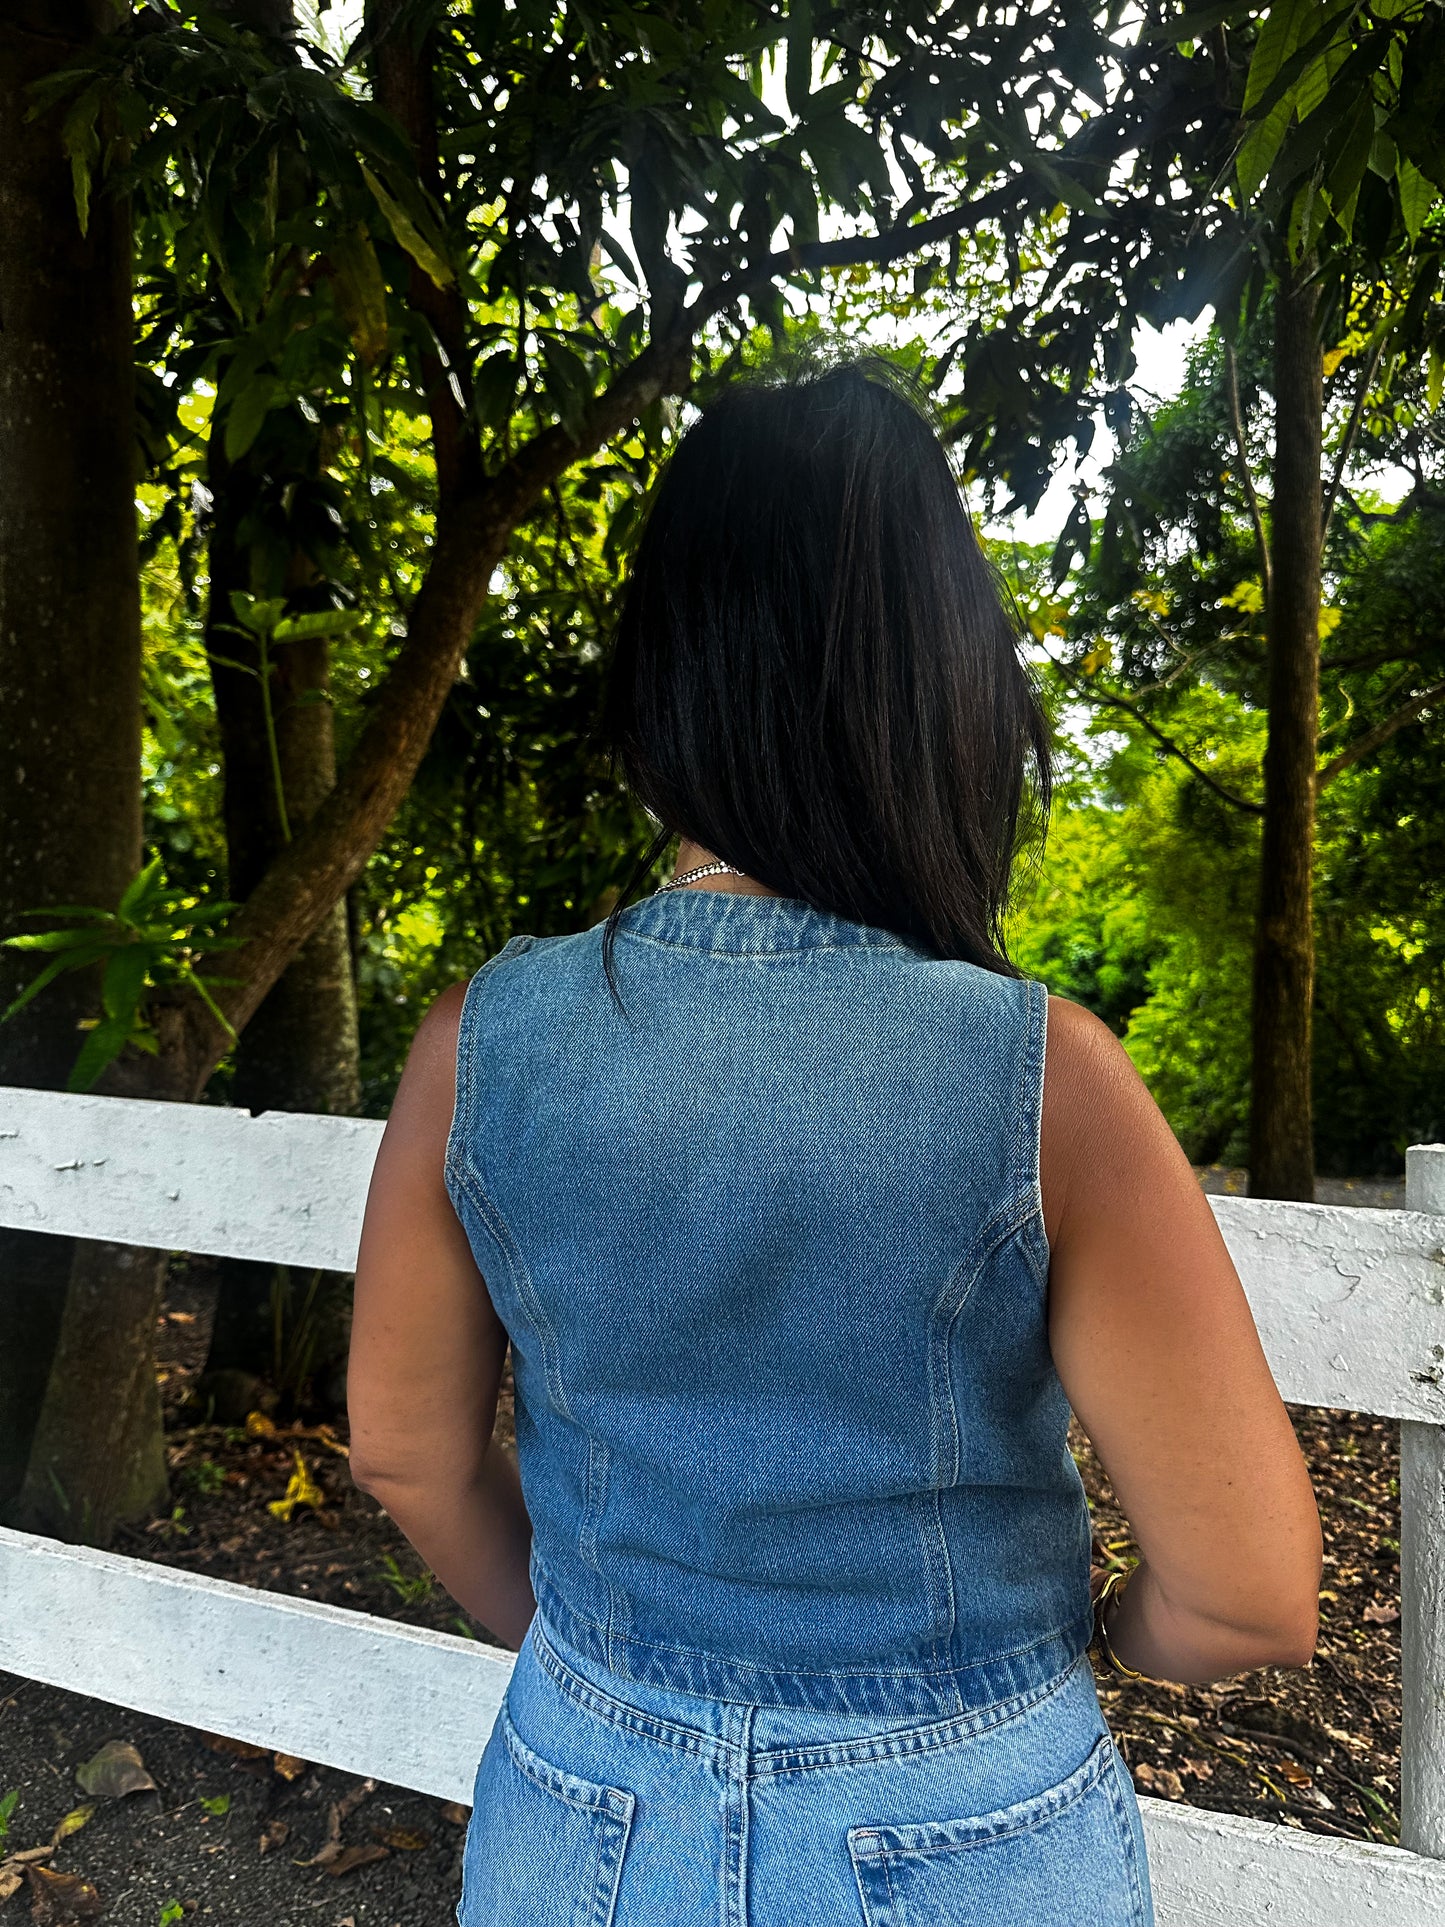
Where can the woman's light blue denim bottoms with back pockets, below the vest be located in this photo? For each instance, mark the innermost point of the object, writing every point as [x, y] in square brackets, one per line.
[610, 1805]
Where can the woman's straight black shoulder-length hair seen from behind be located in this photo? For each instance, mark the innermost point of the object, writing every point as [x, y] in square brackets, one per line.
[814, 672]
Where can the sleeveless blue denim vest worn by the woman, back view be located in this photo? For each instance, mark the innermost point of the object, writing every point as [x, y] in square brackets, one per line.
[772, 1259]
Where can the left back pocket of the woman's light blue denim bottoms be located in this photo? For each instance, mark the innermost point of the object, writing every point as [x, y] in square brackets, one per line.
[544, 1849]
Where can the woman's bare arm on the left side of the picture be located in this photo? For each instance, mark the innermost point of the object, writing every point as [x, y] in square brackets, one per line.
[427, 1356]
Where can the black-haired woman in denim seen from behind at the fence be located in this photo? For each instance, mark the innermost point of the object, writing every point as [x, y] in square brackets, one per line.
[808, 1219]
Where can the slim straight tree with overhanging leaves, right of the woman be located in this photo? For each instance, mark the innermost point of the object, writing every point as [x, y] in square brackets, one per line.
[1286, 155]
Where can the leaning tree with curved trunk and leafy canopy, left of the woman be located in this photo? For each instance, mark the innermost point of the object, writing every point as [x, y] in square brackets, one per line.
[544, 224]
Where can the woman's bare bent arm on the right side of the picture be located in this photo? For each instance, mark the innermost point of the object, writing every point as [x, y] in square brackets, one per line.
[1159, 1356]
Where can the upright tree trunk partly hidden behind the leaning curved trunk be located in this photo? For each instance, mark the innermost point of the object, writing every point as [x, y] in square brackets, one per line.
[302, 1049]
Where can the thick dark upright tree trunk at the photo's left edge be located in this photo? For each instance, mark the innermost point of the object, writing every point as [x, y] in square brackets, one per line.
[70, 621]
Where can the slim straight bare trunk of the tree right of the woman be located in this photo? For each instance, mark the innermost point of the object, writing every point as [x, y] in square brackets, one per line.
[1282, 1121]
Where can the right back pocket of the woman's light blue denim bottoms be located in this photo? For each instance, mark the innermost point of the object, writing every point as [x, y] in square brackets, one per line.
[1064, 1859]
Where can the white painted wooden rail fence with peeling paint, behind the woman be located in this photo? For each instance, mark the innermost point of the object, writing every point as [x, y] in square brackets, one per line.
[1352, 1307]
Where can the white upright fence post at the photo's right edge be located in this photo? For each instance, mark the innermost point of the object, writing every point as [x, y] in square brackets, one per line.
[1423, 1577]
